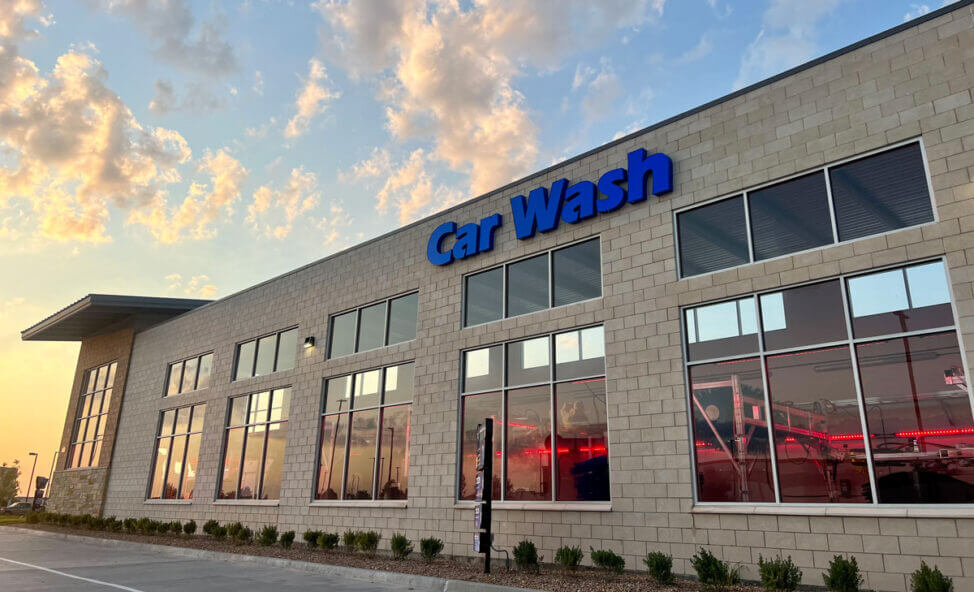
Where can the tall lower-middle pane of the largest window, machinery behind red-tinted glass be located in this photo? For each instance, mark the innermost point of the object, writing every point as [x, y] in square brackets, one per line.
[816, 425]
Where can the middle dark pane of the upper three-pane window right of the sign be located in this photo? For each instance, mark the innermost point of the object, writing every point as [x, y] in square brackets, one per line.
[789, 217]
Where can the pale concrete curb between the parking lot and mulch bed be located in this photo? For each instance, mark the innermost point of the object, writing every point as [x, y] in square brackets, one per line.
[401, 580]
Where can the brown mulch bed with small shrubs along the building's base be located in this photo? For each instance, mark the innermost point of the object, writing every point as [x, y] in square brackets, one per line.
[550, 578]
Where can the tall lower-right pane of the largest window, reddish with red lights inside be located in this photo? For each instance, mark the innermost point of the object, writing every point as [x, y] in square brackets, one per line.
[919, 416]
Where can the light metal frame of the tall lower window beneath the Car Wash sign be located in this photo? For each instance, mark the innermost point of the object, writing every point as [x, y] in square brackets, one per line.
[503, 389]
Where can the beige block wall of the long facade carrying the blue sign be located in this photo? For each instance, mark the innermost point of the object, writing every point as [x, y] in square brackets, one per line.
[914, 84]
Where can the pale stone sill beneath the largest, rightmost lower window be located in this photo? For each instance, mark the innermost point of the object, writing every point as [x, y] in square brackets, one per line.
[862, 510]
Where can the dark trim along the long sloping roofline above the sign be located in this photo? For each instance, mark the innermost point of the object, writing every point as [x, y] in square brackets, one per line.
[718, 101]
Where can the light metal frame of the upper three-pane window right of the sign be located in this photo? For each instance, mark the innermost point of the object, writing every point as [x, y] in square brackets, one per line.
[823, 169]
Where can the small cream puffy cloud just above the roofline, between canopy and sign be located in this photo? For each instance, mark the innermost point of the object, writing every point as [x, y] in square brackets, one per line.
[273, 211]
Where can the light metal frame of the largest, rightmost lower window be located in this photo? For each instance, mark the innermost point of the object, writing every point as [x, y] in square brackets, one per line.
[850, 342]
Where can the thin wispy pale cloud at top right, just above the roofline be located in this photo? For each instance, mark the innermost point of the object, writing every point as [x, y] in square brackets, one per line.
[787, 38]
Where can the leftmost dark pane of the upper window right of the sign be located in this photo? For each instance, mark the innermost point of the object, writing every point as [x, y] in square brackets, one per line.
[712, 237]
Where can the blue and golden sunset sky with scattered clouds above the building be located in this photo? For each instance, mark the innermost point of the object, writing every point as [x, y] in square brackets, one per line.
[192, 149]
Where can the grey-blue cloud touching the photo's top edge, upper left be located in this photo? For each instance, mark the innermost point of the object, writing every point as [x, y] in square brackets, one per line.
[178, 40]
